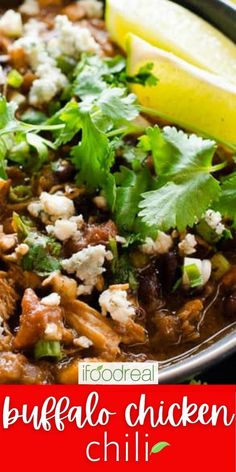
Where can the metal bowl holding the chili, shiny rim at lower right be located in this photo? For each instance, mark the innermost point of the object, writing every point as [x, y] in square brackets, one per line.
[222, 14]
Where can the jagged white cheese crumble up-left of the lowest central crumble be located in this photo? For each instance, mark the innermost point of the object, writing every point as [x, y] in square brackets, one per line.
[87, 265]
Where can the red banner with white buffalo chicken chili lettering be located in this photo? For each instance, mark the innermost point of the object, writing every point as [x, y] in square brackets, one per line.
[154, 428]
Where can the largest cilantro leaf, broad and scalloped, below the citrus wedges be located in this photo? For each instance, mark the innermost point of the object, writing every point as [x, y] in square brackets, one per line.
[185, 187]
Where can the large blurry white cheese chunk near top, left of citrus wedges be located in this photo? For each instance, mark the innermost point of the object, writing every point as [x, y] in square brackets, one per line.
[71, 39]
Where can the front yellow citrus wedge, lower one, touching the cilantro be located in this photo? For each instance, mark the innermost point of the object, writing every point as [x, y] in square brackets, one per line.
[186, 95]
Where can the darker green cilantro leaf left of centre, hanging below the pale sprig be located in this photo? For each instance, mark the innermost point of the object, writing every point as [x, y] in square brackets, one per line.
[94, 156]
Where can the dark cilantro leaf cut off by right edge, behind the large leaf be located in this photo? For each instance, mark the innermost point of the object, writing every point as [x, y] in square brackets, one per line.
[227, 202]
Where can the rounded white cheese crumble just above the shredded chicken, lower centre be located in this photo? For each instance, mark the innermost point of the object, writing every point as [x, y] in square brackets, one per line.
[115, 302]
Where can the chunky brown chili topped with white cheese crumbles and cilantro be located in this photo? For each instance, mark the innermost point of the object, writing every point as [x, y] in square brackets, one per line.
[117, 236]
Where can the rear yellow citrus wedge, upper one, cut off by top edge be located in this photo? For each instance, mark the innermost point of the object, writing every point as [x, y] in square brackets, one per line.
[173, 28]
